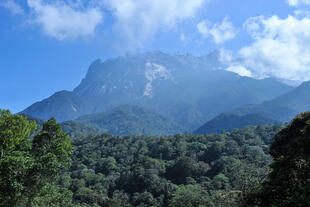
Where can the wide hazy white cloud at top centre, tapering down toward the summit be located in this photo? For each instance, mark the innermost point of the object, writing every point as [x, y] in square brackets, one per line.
[139, 20]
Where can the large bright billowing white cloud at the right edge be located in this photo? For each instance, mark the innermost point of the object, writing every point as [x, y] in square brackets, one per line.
[281, 47]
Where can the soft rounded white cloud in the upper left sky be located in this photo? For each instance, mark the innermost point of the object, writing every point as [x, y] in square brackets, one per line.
[62, 20]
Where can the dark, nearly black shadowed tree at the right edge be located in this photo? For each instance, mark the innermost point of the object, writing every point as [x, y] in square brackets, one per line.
[288, 183]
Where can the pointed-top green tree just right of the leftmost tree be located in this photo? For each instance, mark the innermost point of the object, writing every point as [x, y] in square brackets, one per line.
[51, 148]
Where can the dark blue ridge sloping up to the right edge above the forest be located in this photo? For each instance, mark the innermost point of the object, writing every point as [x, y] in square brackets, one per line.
[281, 109]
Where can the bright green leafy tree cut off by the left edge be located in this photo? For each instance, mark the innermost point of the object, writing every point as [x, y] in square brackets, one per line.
[15, 159]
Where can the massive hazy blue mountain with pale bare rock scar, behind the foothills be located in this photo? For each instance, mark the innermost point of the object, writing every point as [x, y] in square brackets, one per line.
[190, 90]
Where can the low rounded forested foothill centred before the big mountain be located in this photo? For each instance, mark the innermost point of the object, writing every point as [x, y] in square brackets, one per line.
[126, 120]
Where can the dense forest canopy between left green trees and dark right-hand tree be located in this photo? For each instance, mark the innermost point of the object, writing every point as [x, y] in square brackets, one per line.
[161, 171]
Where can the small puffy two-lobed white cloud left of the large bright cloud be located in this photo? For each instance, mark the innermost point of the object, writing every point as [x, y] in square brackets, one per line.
[221, 32]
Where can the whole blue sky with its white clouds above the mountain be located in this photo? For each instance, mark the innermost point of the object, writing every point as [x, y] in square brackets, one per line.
[47, 45]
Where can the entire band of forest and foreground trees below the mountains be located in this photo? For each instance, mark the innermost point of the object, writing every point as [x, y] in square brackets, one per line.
[43, 167]
